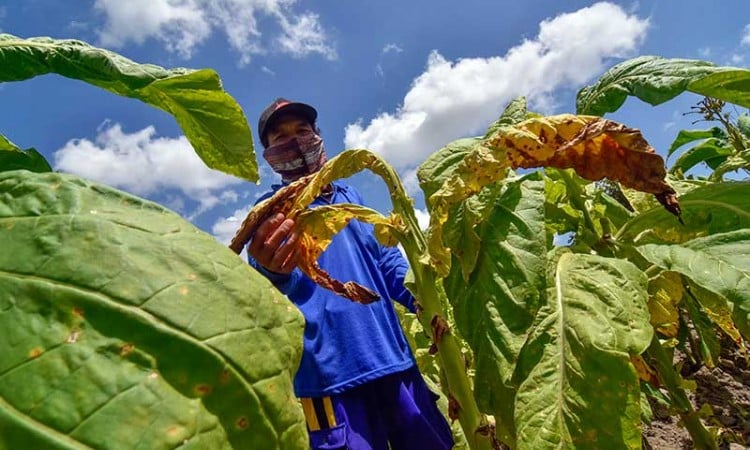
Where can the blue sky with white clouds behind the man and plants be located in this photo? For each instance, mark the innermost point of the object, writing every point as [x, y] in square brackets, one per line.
[401, 78]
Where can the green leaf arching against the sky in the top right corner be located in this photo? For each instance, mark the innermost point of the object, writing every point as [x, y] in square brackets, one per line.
[656, 80]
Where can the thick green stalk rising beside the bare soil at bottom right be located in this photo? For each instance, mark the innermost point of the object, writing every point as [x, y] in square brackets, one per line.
[702, 439]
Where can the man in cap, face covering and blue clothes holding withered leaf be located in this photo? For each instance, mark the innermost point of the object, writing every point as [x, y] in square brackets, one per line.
[357, 381]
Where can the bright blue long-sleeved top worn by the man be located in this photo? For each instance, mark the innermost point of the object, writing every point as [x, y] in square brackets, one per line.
[347, 343]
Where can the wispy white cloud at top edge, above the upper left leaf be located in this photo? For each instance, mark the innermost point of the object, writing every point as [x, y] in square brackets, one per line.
[181, 25]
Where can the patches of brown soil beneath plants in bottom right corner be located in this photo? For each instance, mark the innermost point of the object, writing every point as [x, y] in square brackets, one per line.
[725, 389]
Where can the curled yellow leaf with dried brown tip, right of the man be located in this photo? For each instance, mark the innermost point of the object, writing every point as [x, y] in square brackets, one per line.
[595, 148]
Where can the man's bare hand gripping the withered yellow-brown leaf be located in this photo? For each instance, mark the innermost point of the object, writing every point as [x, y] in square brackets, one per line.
[274, 245]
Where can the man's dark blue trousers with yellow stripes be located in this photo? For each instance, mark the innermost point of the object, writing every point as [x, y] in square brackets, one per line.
[397, 410]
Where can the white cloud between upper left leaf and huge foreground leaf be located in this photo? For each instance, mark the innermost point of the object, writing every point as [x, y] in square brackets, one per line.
[144, 164]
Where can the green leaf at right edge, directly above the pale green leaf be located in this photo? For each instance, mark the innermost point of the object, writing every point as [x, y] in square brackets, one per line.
[709, 209]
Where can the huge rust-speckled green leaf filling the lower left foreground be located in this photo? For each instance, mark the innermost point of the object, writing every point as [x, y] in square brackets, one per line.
[126, 327]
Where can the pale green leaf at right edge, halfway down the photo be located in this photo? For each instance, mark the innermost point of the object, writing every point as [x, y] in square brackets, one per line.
[719, 263]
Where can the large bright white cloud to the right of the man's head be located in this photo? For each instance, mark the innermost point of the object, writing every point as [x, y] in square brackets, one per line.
[454, 99]
